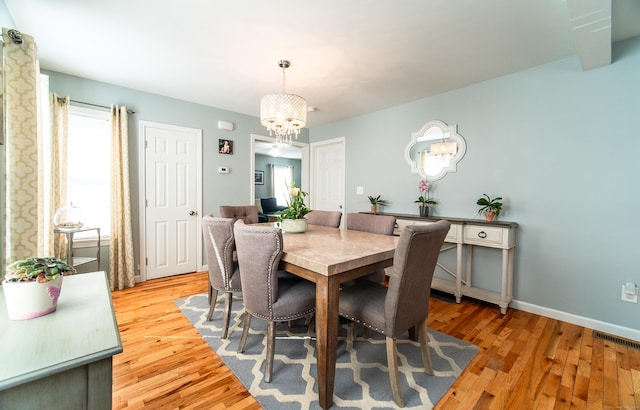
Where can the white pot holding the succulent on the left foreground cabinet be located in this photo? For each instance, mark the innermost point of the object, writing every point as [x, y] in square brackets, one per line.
[28, 300]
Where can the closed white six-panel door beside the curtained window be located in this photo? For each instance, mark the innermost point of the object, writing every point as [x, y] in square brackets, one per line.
[172, 233]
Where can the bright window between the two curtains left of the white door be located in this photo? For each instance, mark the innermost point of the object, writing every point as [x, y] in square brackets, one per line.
[89, 167]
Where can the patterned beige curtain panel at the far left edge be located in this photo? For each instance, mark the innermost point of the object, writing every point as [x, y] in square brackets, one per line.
[23, 181]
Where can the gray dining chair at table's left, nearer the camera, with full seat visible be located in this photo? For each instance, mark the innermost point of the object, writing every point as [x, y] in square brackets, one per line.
[268, 295]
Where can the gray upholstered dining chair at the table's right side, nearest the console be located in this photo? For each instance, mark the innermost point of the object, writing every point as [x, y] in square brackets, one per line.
[404, 304]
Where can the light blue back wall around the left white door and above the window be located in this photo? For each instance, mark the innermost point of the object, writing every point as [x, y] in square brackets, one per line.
[217, 189]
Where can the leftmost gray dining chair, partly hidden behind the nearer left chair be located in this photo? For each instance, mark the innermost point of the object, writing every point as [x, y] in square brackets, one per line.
[223, 270]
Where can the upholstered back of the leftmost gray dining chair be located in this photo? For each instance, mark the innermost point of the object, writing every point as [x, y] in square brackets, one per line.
[219, 245]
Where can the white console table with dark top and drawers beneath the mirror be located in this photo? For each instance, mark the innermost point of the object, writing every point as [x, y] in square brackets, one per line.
[471, 233]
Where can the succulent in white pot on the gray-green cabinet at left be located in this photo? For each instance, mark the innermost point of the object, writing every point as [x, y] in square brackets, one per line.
[31, 286]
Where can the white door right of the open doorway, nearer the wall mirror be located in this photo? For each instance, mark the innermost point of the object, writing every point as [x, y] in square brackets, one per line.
[327, 169]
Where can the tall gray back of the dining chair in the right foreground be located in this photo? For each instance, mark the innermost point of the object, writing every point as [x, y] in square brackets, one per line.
[407, 300]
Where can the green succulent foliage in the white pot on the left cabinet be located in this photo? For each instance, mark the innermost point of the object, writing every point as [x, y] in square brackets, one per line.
[37, 269]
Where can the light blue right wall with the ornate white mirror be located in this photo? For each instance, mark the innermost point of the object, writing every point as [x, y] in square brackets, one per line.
[560, 145]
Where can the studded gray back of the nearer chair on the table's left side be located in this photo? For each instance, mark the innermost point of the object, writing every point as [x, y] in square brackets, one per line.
[259, 251]
